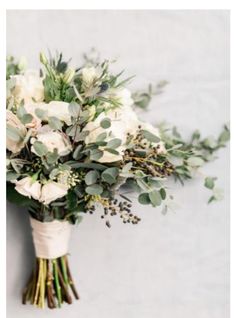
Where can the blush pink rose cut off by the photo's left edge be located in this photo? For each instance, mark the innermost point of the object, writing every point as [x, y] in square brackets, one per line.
[12, 144]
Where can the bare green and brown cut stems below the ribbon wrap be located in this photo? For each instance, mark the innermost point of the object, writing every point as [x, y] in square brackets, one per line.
[51, 280]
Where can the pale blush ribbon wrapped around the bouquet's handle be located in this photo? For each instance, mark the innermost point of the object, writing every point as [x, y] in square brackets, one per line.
[51, 239]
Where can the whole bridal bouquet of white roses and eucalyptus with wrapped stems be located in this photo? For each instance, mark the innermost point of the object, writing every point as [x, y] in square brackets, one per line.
[74, 146]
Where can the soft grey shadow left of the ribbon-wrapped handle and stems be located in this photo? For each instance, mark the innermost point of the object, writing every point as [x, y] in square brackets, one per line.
[20, 250]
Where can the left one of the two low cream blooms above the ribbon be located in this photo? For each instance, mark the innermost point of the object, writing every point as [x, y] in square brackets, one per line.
[29, 188]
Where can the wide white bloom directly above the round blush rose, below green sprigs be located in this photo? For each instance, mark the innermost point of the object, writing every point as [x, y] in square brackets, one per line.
[57, 109]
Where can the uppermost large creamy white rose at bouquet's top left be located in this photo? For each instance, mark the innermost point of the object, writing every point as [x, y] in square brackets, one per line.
[27, 87]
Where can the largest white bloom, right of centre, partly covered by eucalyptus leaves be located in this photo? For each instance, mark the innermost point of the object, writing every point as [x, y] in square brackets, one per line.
[123, 120]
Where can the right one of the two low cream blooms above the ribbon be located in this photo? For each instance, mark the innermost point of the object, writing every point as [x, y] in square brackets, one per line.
[52, 191]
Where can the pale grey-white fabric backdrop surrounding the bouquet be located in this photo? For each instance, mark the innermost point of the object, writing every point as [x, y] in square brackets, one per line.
[173, 266]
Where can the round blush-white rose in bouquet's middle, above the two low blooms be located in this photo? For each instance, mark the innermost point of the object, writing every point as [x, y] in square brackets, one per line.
[52, 140]
